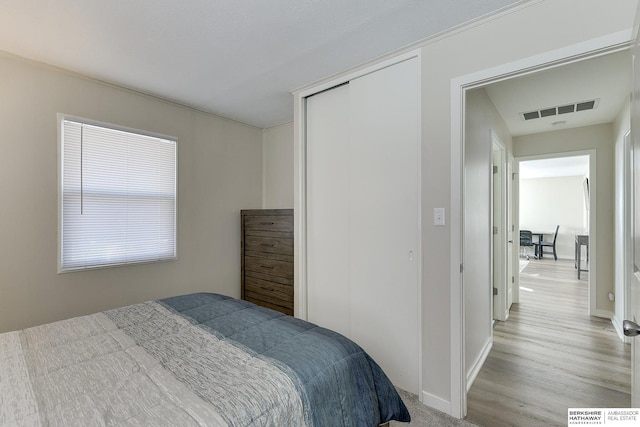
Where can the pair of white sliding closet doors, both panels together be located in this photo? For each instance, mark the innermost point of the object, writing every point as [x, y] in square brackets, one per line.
[363, 215]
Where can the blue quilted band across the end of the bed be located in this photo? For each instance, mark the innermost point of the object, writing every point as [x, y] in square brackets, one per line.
[339, 383]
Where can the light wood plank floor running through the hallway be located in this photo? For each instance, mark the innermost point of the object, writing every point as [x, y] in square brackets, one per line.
[550, 355]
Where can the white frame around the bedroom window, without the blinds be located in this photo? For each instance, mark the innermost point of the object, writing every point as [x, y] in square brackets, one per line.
[61, 176]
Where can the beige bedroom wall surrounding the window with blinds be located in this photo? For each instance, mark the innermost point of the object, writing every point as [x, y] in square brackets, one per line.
[219, 173]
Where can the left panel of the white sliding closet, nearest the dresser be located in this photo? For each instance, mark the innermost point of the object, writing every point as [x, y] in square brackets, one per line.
[328, 209]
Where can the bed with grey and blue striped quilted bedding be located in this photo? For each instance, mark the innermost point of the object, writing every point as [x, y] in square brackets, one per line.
[192, 360]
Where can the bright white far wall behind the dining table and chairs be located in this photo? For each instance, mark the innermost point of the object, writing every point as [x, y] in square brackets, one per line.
[547, 202]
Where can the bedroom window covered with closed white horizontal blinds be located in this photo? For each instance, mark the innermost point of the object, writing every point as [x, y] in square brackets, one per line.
[117, 196]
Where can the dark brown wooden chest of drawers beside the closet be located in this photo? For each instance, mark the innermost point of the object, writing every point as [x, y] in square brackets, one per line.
[267, 258]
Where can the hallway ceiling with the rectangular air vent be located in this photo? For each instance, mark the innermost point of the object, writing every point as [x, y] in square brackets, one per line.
[606, 79]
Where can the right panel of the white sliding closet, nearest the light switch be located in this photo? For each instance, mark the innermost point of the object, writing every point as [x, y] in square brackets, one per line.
[384, 218]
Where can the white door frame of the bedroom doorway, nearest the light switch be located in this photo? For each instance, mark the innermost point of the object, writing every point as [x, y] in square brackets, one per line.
[585, 50]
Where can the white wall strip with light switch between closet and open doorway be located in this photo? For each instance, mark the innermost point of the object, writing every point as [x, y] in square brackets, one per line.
[511, 37]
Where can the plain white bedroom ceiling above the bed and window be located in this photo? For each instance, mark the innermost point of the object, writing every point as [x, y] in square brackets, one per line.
[237, 59]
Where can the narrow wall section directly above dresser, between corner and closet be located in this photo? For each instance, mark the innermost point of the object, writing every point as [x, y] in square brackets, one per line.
[278, 167]
